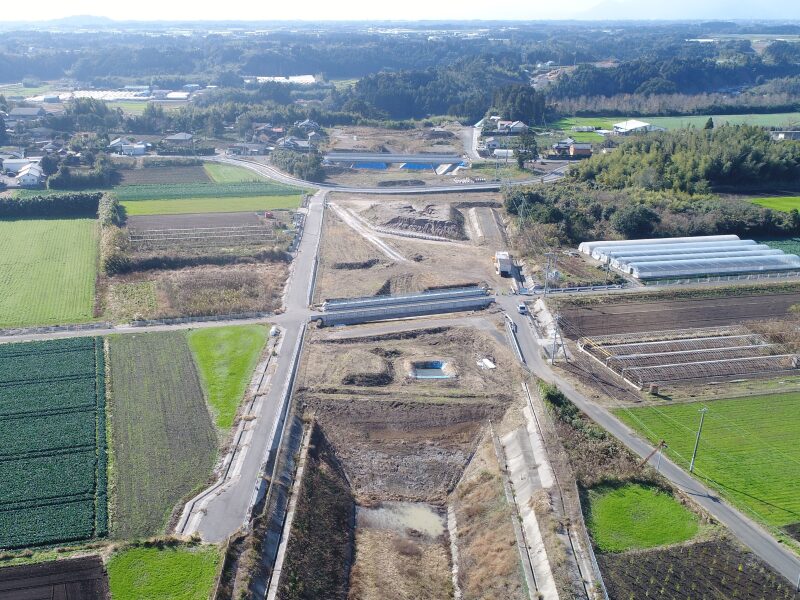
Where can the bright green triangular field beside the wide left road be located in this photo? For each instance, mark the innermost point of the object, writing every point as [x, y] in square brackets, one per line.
[226, 358]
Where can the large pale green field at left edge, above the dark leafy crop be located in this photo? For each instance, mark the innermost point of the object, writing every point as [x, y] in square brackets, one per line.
[47, 271]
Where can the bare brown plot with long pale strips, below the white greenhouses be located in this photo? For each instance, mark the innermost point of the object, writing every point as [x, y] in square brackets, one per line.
[689, 354]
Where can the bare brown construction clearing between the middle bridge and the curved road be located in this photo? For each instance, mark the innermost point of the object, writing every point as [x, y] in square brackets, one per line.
[382, 245]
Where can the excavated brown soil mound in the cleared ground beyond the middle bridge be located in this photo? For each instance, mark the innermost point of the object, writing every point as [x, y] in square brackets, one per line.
[442, 220]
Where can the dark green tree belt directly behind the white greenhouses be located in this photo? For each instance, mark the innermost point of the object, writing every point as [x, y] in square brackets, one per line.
[571, 212]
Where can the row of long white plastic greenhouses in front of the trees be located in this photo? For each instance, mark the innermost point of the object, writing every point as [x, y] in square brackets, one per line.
[699, 256]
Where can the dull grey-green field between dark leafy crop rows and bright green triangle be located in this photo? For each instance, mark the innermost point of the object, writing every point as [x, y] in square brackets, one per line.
[163, 440]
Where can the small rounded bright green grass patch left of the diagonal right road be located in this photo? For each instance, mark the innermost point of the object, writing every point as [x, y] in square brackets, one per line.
[634, 517]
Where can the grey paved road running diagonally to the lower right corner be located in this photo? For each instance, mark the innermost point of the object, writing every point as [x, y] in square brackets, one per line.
[749, 533]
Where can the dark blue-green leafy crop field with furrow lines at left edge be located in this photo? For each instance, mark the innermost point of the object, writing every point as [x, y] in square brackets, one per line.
[53, 466]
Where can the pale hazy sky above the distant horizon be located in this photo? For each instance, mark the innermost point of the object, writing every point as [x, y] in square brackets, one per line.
[410, 10]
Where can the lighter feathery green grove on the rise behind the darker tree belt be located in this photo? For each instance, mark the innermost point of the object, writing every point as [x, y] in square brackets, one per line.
[695, 161]
